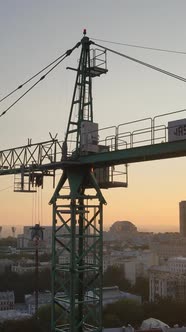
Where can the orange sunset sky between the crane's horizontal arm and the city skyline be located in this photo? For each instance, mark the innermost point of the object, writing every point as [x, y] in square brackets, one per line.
[151, 200]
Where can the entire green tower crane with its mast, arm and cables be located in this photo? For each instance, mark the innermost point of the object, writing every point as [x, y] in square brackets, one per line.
[91, 159]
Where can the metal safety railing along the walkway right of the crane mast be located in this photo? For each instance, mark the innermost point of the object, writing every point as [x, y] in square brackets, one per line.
[146, 131]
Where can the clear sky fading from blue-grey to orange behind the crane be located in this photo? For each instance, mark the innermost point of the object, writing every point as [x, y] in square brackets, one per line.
[33, 33]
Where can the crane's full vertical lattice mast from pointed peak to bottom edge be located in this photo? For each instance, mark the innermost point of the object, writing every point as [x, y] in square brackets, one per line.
[78, 221]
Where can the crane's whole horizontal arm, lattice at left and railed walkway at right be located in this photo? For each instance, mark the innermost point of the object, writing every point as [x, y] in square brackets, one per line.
[131, 142]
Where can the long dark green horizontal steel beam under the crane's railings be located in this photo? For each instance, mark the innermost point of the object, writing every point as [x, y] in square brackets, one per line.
[118, 157]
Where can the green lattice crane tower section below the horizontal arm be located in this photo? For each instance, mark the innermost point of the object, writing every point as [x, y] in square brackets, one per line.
[77, 255]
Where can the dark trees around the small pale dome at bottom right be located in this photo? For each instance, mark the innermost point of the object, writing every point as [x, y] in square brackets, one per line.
[128, 311]
